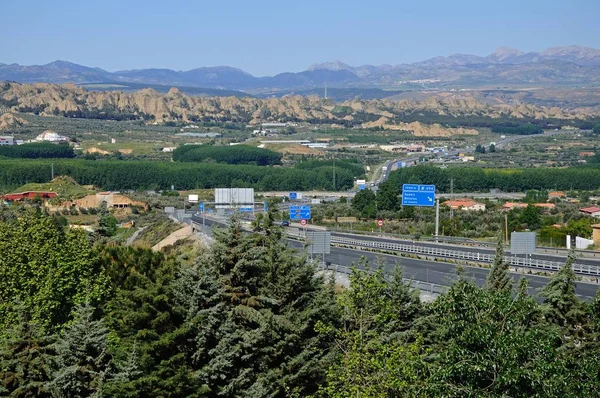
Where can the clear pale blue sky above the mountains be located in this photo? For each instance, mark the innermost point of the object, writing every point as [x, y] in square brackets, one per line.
[269, 37]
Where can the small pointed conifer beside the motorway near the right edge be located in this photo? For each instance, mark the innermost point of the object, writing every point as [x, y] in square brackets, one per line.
[561, 304]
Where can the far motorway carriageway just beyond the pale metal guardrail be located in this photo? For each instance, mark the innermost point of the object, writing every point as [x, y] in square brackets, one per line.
[538, 256]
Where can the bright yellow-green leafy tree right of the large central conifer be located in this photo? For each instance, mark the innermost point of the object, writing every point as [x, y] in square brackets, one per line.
[374, 359]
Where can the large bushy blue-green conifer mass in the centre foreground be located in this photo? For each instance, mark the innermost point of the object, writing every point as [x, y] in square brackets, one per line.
[253, 304]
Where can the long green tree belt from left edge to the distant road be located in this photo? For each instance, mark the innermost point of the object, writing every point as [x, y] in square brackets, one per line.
[141, 175]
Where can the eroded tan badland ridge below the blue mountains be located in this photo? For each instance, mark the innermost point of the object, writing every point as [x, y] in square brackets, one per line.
[53, 99]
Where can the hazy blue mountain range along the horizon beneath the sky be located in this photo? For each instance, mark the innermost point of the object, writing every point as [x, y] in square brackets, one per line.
[557, 66]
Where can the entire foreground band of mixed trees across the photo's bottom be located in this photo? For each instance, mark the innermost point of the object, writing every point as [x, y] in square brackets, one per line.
[250, 317]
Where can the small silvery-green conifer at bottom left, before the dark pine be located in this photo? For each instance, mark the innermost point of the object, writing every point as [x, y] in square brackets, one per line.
[82, 358]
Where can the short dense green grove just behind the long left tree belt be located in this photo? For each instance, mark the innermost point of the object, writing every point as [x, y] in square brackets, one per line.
[237, 154]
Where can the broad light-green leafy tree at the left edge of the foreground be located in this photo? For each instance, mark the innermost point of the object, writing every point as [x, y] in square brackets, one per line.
[47, 268]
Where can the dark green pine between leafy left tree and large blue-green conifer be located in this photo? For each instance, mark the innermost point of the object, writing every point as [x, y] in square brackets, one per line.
[144, 316]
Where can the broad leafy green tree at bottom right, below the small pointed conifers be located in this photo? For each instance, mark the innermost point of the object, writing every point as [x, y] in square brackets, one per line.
[491, 344]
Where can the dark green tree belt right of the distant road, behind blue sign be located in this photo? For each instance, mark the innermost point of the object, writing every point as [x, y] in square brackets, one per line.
[476, 179]
